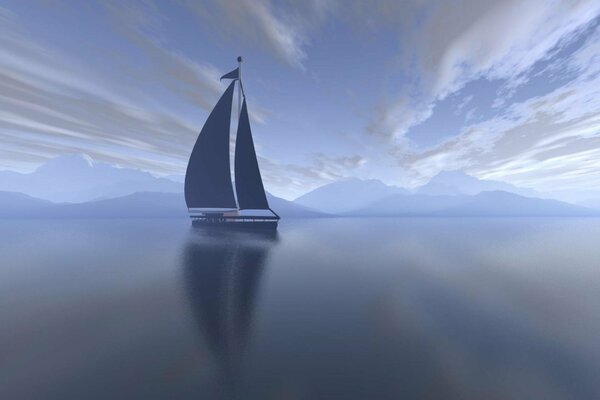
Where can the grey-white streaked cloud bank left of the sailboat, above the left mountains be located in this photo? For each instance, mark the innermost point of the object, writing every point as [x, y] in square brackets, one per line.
[49, 106]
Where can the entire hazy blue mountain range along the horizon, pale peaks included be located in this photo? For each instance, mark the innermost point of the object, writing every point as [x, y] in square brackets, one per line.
[75, 186]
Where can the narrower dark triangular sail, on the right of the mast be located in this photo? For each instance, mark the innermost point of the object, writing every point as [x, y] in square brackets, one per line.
[248, 183]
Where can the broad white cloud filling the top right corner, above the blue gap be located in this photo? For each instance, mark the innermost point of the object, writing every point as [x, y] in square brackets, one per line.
[450, 46]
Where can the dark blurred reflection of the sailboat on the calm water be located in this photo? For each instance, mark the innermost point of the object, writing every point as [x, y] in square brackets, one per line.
[222, 272]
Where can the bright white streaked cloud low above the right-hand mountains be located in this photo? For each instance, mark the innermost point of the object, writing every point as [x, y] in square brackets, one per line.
[549, 142]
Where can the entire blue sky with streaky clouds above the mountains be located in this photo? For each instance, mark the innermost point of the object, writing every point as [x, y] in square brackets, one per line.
[337, 89]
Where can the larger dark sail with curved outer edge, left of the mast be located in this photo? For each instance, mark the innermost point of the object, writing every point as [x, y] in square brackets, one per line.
[208, 175]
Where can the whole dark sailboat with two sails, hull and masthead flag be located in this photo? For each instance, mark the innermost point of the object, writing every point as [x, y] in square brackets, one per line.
[209, 190]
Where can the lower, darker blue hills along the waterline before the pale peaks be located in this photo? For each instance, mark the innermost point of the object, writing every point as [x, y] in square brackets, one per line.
[172, 205]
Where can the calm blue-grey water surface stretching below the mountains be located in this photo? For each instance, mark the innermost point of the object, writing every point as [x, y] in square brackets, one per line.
[325, 309]
